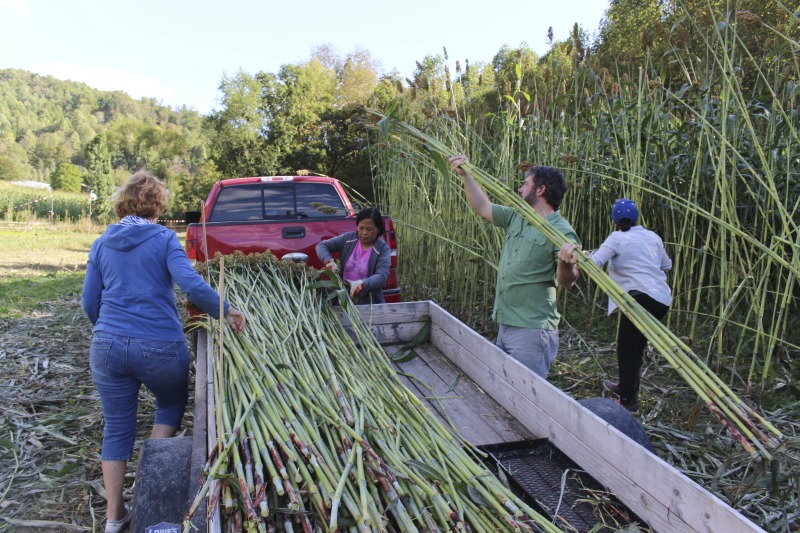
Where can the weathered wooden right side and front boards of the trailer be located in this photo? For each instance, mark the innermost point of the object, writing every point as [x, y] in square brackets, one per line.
[657, 492]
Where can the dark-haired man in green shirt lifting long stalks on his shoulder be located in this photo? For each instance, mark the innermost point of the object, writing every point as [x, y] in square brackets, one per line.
[530, 265]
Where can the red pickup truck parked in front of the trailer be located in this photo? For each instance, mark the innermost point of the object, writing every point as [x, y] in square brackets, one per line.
[283, 214]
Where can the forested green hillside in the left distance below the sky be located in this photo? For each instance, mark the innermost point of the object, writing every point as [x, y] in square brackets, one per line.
[51, 128]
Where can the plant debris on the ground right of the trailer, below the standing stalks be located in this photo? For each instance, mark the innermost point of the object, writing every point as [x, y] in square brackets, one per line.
[687, 436]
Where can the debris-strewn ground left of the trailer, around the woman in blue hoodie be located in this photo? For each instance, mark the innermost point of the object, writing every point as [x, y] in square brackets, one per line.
[51, 424]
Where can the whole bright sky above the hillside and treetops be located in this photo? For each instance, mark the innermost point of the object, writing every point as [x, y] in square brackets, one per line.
[178, 50]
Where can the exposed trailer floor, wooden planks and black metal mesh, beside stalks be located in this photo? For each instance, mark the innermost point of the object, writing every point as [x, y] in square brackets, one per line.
[535, 469]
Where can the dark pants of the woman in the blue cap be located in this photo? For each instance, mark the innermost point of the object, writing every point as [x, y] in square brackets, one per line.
[630, 348]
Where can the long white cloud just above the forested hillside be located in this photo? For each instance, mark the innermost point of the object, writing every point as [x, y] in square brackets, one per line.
[106, 79]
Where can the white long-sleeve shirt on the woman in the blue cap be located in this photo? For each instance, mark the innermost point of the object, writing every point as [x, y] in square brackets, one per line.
[636, 261]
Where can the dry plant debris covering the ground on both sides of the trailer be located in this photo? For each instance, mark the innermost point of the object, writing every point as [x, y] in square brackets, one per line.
[51, 429]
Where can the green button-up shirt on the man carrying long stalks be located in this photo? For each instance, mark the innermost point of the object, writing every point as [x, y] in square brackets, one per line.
[525, 296]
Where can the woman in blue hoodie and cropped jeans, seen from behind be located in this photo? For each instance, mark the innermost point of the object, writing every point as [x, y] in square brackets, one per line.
[138, 338]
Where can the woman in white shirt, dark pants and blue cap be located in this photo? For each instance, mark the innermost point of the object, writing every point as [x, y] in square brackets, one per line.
[637, 262]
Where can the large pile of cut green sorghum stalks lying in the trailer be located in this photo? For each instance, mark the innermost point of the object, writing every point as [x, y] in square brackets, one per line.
[315, 430]
